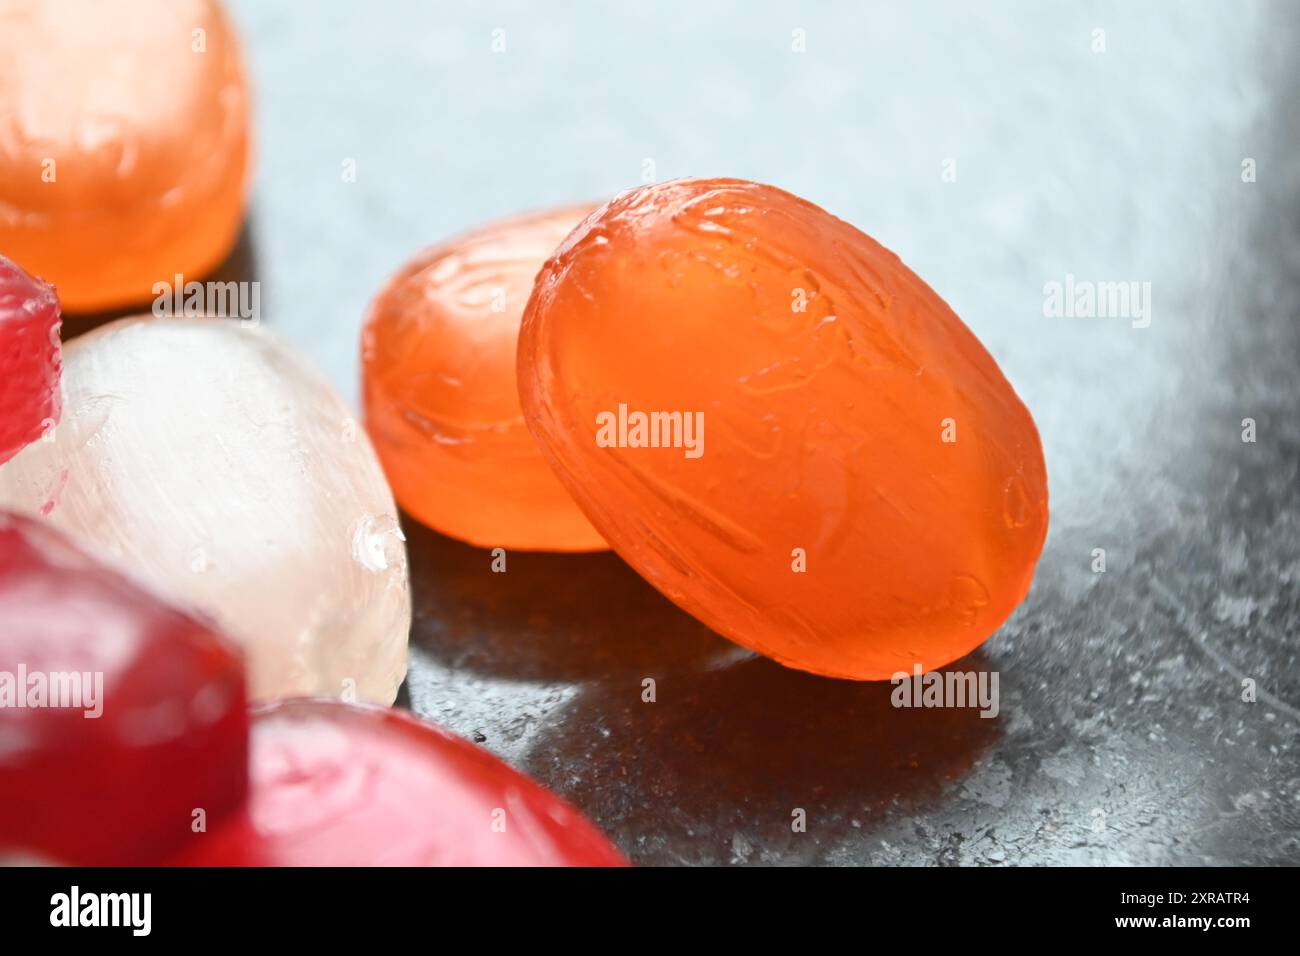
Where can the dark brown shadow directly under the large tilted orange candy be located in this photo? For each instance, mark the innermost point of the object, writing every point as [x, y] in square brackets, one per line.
[717, 768]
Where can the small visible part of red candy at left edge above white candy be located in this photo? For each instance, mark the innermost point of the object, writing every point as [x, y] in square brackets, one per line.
[31, 358]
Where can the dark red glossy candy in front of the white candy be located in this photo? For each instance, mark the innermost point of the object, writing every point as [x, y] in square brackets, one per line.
[120, 716]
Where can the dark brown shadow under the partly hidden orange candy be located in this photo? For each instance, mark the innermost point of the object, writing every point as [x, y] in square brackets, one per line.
[548, 617]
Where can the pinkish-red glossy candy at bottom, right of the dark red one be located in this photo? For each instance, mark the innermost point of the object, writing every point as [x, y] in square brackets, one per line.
[337, 785]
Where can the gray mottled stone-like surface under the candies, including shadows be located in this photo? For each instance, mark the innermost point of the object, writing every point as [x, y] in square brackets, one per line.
[1121, 691]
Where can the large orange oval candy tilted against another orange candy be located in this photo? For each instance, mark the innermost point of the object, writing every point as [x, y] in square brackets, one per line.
[820, 379]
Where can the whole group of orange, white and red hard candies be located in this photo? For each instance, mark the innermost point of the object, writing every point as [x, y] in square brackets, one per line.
[761, 409]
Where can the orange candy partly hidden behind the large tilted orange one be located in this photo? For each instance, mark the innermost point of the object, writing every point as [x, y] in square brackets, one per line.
[441, 401]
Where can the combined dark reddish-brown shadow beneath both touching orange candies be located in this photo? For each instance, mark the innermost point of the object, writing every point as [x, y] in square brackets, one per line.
[733, 745]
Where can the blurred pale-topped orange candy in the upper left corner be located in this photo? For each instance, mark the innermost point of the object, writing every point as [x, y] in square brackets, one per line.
[124, 144]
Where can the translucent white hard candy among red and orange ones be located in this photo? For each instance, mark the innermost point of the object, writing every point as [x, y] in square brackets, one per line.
[222, 469]
